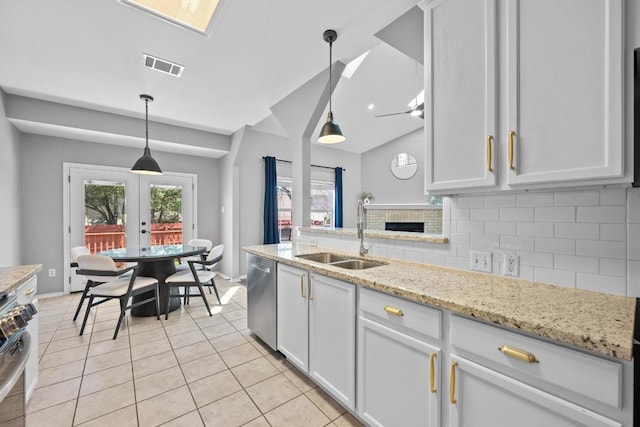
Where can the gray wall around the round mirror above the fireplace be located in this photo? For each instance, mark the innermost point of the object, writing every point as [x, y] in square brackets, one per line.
[376, 171]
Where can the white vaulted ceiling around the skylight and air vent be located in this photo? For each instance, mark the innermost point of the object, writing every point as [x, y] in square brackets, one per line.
[89, 54]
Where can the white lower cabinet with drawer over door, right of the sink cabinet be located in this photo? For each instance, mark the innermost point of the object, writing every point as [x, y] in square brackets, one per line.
[398, 370]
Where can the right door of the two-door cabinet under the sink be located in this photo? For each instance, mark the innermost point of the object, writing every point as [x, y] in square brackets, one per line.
[332, 337]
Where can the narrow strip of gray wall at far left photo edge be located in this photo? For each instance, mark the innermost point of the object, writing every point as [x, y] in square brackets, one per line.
[10, 194]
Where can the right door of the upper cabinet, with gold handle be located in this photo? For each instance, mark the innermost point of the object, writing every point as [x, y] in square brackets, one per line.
[564, 91]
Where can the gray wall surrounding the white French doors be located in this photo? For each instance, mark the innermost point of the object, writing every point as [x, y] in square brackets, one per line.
[41, 166]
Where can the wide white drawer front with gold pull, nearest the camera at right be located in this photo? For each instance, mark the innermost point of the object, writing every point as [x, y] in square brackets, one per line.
[589, 376]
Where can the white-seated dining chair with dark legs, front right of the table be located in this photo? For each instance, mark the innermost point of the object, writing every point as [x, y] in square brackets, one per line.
[195, 277]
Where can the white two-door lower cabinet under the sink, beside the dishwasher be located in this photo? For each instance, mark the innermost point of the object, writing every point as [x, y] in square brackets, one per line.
[316, 329]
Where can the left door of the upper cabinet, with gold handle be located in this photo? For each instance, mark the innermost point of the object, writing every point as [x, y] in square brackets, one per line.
[460, 94]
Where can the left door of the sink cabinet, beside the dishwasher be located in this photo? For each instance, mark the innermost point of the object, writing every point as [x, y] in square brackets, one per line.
[293, 315]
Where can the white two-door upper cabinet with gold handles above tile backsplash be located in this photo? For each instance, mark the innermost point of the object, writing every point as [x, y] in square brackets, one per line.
[550, 70]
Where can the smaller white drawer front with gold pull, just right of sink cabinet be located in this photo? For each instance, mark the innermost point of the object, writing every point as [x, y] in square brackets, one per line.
[401, 314]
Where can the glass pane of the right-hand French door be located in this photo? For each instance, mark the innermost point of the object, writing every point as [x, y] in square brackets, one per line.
[166, 214]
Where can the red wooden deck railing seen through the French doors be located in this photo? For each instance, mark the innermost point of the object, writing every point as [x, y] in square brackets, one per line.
[104, 237]
